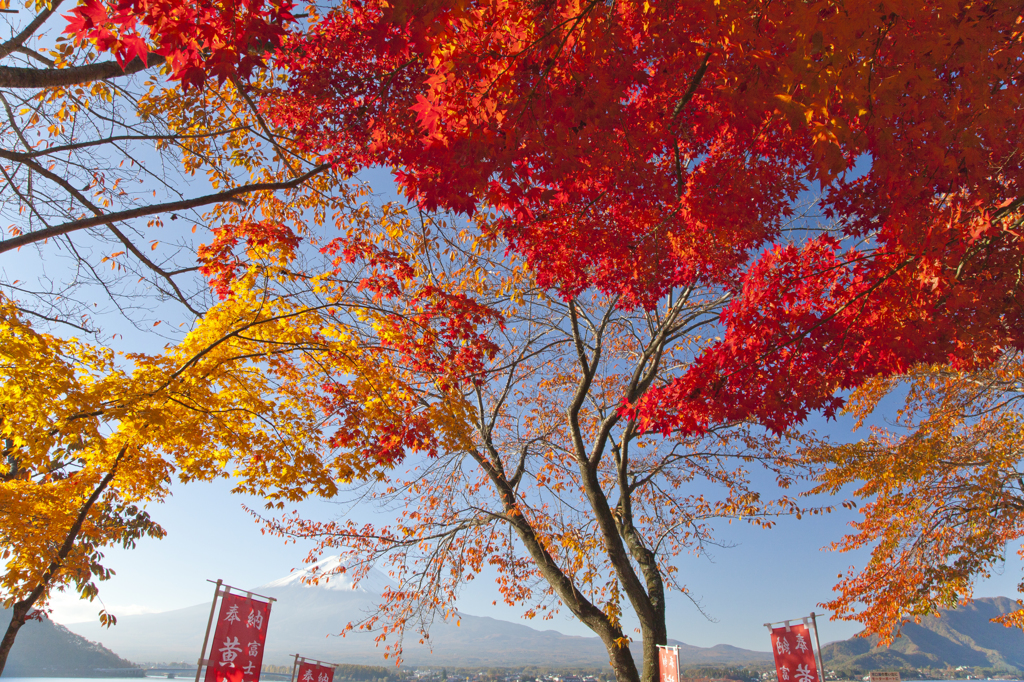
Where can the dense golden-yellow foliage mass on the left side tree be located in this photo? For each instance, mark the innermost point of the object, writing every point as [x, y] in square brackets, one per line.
[230, 401]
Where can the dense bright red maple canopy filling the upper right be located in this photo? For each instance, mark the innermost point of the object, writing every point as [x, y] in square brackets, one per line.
[645, 147]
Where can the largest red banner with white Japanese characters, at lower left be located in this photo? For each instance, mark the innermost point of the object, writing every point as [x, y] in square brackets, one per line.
[237, 653]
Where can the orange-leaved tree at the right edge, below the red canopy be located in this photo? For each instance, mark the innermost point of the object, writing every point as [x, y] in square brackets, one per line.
[943, 488]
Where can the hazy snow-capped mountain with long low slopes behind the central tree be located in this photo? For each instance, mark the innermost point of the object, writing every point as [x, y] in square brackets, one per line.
[306, 618]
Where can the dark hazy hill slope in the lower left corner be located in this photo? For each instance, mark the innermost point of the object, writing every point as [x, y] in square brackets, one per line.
[46, 649]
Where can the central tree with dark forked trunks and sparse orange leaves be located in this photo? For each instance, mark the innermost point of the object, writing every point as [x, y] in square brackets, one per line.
[528, 466]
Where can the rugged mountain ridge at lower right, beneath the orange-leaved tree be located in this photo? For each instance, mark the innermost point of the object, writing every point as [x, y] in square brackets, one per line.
[963, 636]
